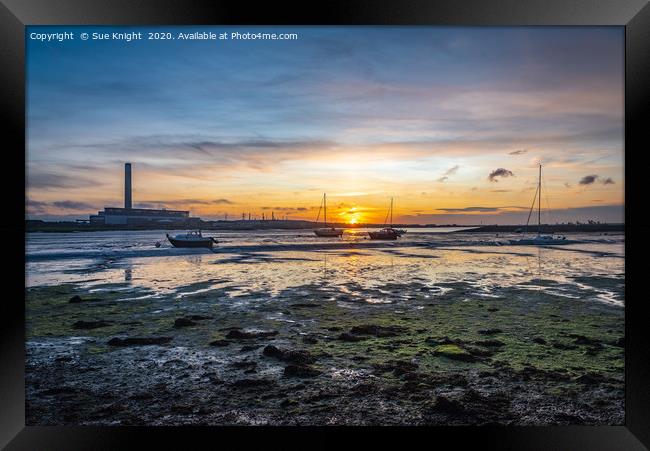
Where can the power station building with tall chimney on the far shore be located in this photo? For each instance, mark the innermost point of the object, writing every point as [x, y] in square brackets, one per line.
[138, 216]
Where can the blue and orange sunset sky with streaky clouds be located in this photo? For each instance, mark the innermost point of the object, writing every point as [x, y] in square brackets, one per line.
[451, 122]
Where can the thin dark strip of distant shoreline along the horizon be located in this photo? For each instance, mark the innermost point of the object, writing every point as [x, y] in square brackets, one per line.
[66, 227]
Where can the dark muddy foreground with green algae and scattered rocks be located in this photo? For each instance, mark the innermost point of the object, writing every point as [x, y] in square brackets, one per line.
[319, 355]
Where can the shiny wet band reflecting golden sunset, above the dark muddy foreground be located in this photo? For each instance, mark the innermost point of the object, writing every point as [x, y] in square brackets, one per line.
[272, 272]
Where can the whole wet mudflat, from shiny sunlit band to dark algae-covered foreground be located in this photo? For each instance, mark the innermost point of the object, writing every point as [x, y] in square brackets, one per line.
[405, 335]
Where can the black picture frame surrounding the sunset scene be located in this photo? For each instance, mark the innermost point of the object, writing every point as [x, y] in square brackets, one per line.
[15, 15]
